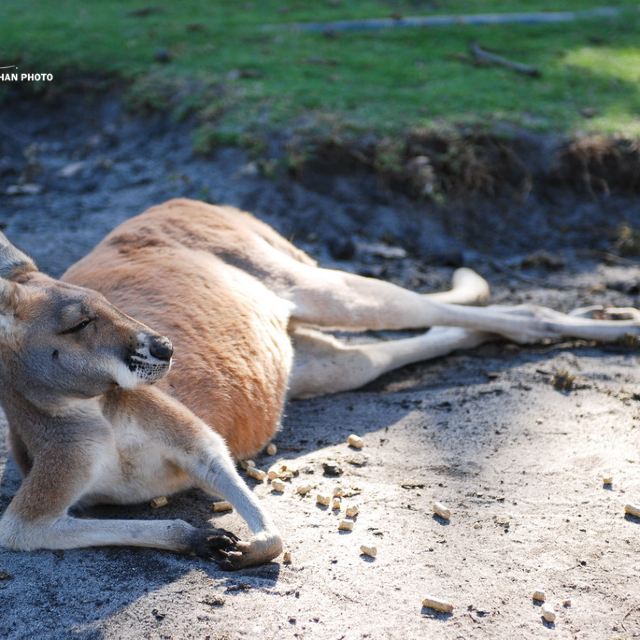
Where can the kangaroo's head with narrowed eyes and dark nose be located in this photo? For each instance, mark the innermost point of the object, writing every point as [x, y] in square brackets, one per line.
[60, 340]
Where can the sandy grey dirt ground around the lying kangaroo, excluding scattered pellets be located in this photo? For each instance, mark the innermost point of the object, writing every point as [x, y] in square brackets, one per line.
[518, 462]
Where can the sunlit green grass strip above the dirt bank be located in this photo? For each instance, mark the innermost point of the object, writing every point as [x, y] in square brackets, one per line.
[241, 77]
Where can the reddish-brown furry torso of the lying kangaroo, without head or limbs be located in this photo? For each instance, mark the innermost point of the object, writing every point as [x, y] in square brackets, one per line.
[233, 354]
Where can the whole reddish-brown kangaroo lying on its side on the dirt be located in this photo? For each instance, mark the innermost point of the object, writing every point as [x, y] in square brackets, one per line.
[96, 415]
